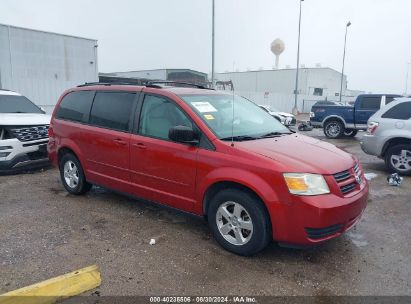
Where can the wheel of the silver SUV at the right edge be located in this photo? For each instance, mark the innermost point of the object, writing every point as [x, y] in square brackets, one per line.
[398, 159]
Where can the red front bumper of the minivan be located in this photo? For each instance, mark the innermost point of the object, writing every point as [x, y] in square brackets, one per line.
[311, 220]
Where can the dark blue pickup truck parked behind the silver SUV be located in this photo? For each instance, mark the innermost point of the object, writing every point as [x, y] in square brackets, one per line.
[338, 121]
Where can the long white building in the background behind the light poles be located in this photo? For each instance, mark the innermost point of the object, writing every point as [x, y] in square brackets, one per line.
[276, 87]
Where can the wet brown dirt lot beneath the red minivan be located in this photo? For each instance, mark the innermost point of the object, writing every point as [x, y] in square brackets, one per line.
[45, 232]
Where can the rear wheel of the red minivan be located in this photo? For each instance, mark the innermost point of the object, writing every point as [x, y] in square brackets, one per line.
[72, 175]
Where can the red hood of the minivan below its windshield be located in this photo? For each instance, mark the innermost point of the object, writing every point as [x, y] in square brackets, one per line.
[299, 153]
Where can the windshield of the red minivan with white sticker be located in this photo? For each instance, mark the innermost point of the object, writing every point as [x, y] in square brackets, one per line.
[250, 121]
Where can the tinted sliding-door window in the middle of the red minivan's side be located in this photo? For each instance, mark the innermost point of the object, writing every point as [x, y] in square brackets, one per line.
[112, 110]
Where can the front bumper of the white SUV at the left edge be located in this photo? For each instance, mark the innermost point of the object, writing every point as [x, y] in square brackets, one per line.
[23, 155]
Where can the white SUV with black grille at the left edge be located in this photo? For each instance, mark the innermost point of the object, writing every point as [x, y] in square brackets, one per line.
[23, 133]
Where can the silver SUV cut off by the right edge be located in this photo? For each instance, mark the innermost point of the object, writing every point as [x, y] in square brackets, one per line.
[389, 136]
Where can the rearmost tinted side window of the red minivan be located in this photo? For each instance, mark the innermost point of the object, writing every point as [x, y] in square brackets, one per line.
[75, 106]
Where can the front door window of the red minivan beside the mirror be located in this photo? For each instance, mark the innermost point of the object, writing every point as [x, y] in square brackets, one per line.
[159, 115]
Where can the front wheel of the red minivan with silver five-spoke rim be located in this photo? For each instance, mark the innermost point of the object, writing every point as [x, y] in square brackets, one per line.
[231, 209]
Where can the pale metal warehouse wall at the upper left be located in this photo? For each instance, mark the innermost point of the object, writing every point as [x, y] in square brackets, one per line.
[41, 65]
